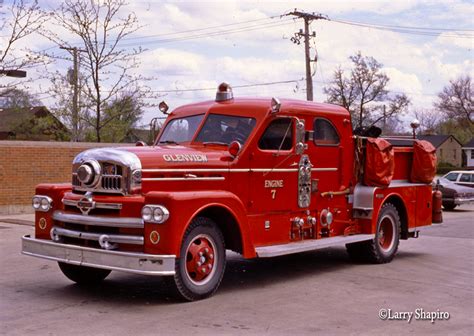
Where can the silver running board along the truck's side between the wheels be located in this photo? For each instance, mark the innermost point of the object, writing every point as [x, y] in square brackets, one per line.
[309, 245]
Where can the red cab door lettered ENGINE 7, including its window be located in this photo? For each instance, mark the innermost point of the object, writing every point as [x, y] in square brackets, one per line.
[273, 182]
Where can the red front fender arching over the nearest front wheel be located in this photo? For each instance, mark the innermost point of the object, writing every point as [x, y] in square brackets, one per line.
[183, 207]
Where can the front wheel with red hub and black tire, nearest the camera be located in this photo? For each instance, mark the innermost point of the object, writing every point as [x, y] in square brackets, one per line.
[201, 265]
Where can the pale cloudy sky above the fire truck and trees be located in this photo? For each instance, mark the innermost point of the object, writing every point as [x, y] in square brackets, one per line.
[199, 44]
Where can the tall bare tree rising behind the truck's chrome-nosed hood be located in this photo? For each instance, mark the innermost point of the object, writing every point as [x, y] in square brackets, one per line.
[106, 68]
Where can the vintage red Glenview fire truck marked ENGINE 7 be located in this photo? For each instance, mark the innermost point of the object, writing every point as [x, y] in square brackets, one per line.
[260, 177]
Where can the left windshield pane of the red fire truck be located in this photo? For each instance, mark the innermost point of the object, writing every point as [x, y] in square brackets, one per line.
[181, 129]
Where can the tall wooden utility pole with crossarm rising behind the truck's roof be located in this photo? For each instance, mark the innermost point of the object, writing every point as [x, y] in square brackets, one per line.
[307, 17]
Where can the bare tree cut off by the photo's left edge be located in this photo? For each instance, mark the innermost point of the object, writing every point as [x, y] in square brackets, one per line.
[21, 19]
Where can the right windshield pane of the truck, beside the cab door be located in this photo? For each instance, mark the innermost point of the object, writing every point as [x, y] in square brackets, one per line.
[224, 129]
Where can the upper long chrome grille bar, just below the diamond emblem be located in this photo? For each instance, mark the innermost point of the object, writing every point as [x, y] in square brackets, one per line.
[121, 222]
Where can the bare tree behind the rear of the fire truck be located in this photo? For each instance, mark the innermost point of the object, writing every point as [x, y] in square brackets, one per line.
[364, 92]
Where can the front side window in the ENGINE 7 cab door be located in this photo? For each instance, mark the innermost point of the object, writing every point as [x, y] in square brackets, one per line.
[278, 135]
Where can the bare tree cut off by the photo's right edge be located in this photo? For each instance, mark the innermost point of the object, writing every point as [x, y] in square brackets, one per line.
[456, 101]
